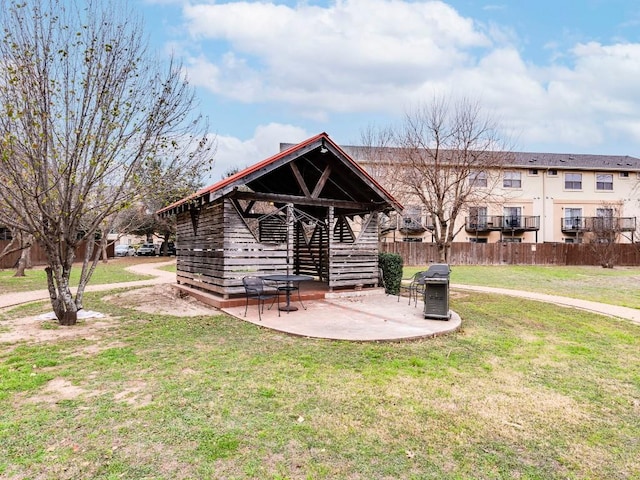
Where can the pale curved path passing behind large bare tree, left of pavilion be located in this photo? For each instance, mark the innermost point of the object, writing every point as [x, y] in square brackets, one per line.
[156, 277]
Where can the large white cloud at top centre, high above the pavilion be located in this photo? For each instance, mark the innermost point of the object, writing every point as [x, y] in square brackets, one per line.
[354, 54]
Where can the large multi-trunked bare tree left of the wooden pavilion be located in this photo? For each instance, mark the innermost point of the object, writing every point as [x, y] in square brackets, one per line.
[84, 110]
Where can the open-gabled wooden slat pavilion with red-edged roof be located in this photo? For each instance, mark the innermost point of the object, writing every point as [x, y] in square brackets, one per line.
[308, 210]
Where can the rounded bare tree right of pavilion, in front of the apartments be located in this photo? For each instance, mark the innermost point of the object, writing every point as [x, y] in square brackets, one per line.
[447, 157]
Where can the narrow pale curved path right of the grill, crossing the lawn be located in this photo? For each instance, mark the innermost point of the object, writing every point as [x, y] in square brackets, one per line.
[626, 313]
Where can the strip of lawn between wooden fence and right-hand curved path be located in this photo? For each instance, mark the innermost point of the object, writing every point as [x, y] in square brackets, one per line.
[617, 286]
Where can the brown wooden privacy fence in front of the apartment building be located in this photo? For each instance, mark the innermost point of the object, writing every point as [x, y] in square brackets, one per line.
[416, 253]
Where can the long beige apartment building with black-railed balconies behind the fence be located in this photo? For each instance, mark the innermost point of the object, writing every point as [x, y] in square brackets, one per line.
[538, 197]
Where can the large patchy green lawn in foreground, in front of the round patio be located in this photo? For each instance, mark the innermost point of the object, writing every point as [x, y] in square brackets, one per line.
[525, 390]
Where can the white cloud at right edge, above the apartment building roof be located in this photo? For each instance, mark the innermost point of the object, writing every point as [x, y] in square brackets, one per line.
[594, 100]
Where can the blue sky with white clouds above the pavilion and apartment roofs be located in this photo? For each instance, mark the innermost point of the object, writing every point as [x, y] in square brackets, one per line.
[561, 76]
